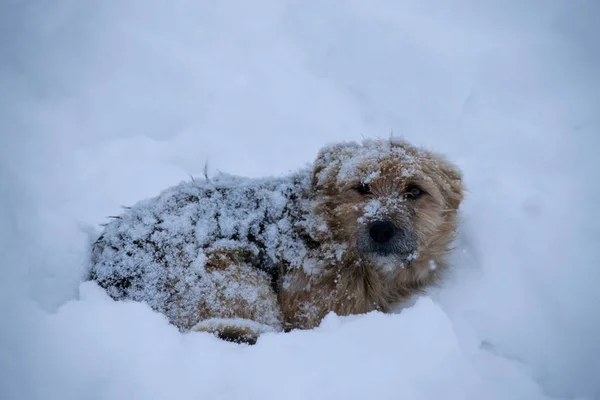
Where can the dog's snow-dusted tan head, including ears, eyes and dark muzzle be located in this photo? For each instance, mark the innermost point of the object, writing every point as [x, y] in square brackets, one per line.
[391, 202]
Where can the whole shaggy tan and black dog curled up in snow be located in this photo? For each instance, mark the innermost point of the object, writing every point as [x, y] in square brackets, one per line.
[365, 228]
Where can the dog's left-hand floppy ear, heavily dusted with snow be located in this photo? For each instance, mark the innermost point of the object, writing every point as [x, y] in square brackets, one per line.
[328, 164]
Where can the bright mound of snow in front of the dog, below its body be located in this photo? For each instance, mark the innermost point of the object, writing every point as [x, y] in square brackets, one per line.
[96, 348]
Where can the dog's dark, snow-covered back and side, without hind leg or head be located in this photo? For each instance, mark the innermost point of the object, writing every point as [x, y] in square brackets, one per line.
[157, 250]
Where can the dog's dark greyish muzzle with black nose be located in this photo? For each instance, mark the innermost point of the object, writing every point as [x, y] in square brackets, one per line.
[384, 238]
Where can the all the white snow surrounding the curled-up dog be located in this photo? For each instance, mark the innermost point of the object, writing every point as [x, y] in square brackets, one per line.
[105, 103]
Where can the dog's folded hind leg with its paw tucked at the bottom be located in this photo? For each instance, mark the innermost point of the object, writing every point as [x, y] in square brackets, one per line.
[236, 299]
